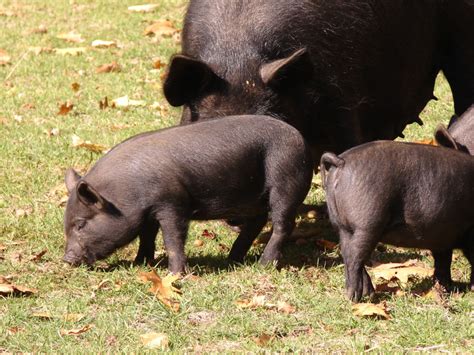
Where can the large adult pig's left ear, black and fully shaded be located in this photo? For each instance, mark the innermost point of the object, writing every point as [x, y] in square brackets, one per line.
[187, 78]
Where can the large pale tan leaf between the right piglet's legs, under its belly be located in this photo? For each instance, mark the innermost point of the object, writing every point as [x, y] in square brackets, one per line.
[401, 271]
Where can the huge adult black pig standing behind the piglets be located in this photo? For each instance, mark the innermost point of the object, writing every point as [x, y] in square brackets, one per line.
[342, 72]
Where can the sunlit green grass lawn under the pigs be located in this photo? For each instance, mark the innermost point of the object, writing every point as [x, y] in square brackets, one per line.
[32, 166]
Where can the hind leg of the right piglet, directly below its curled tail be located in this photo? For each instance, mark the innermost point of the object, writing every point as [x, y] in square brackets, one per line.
[356, 249]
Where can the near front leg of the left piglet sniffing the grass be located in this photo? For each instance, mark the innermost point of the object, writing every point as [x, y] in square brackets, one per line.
[175, 229]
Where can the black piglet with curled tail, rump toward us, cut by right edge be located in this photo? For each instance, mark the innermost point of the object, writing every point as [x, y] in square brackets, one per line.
[404, 194]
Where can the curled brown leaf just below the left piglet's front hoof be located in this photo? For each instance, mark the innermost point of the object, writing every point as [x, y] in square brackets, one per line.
[163, 289]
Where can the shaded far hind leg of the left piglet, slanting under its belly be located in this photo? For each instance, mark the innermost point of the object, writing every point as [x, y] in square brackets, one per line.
[249, 230]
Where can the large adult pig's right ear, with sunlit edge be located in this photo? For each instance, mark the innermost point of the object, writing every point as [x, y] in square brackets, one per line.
[287, 71]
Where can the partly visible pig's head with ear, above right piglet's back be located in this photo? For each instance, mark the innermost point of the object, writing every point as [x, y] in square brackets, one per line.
[460, 132]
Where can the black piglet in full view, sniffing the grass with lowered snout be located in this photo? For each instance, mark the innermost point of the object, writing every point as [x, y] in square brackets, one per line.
[228, 168]
